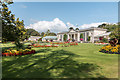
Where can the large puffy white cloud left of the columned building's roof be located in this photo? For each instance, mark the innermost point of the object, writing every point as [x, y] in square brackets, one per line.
[54, 26]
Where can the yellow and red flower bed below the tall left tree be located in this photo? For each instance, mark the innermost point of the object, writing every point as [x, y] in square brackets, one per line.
[10, 52]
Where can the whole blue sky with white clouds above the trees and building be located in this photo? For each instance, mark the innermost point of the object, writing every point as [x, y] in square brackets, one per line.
[59, 16]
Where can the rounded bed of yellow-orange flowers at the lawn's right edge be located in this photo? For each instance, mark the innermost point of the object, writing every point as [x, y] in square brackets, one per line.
[110, 49]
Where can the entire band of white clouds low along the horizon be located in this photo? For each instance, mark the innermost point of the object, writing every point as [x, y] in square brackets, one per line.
[57, 25]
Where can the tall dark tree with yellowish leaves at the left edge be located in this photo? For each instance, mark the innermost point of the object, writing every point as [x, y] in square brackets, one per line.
[12, 30]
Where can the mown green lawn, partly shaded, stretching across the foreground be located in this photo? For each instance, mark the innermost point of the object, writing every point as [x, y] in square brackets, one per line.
[82, 61]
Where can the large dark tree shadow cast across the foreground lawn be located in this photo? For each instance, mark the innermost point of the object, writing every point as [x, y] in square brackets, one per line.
[57, 64]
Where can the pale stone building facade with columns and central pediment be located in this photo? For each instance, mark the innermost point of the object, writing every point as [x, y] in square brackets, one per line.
[92, 32]
